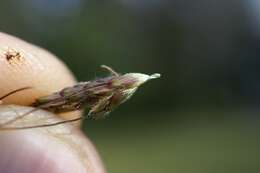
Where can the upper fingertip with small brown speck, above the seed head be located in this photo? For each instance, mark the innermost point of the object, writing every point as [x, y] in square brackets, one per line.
[25, 65]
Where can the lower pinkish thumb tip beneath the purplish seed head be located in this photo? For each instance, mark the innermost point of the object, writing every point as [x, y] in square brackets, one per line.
[57, 149]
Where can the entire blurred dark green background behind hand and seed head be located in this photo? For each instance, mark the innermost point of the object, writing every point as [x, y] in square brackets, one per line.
[201, 116]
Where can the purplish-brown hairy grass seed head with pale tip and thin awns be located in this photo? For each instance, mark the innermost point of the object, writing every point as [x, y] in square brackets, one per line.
[99, 96]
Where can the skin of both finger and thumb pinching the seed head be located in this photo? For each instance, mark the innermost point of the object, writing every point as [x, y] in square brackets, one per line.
[57, 149]
